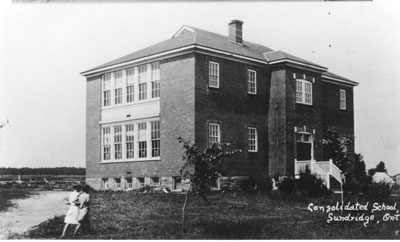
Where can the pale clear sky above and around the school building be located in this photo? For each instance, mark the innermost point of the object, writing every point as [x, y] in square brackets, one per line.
[44, 47]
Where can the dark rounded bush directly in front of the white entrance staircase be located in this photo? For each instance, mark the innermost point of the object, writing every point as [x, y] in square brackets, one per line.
[312, 186]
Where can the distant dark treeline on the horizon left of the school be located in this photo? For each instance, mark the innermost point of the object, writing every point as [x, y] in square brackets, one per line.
[43, 171]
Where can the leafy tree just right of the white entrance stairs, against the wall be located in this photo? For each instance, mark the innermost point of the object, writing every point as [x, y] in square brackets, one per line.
[338, 147]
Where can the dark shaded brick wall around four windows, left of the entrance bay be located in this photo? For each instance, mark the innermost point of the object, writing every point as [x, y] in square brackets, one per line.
[235, 110]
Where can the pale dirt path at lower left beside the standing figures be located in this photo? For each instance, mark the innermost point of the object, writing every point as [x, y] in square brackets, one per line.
[31, 211]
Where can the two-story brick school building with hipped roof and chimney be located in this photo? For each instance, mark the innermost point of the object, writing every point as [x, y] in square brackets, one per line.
[208, 88]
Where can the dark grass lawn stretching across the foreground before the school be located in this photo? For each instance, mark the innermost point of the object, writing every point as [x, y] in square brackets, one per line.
[127, 215]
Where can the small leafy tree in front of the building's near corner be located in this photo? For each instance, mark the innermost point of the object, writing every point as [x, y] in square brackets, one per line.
[203, 167]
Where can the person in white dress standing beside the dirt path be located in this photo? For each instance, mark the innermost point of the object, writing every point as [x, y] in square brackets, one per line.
[72, 216]
